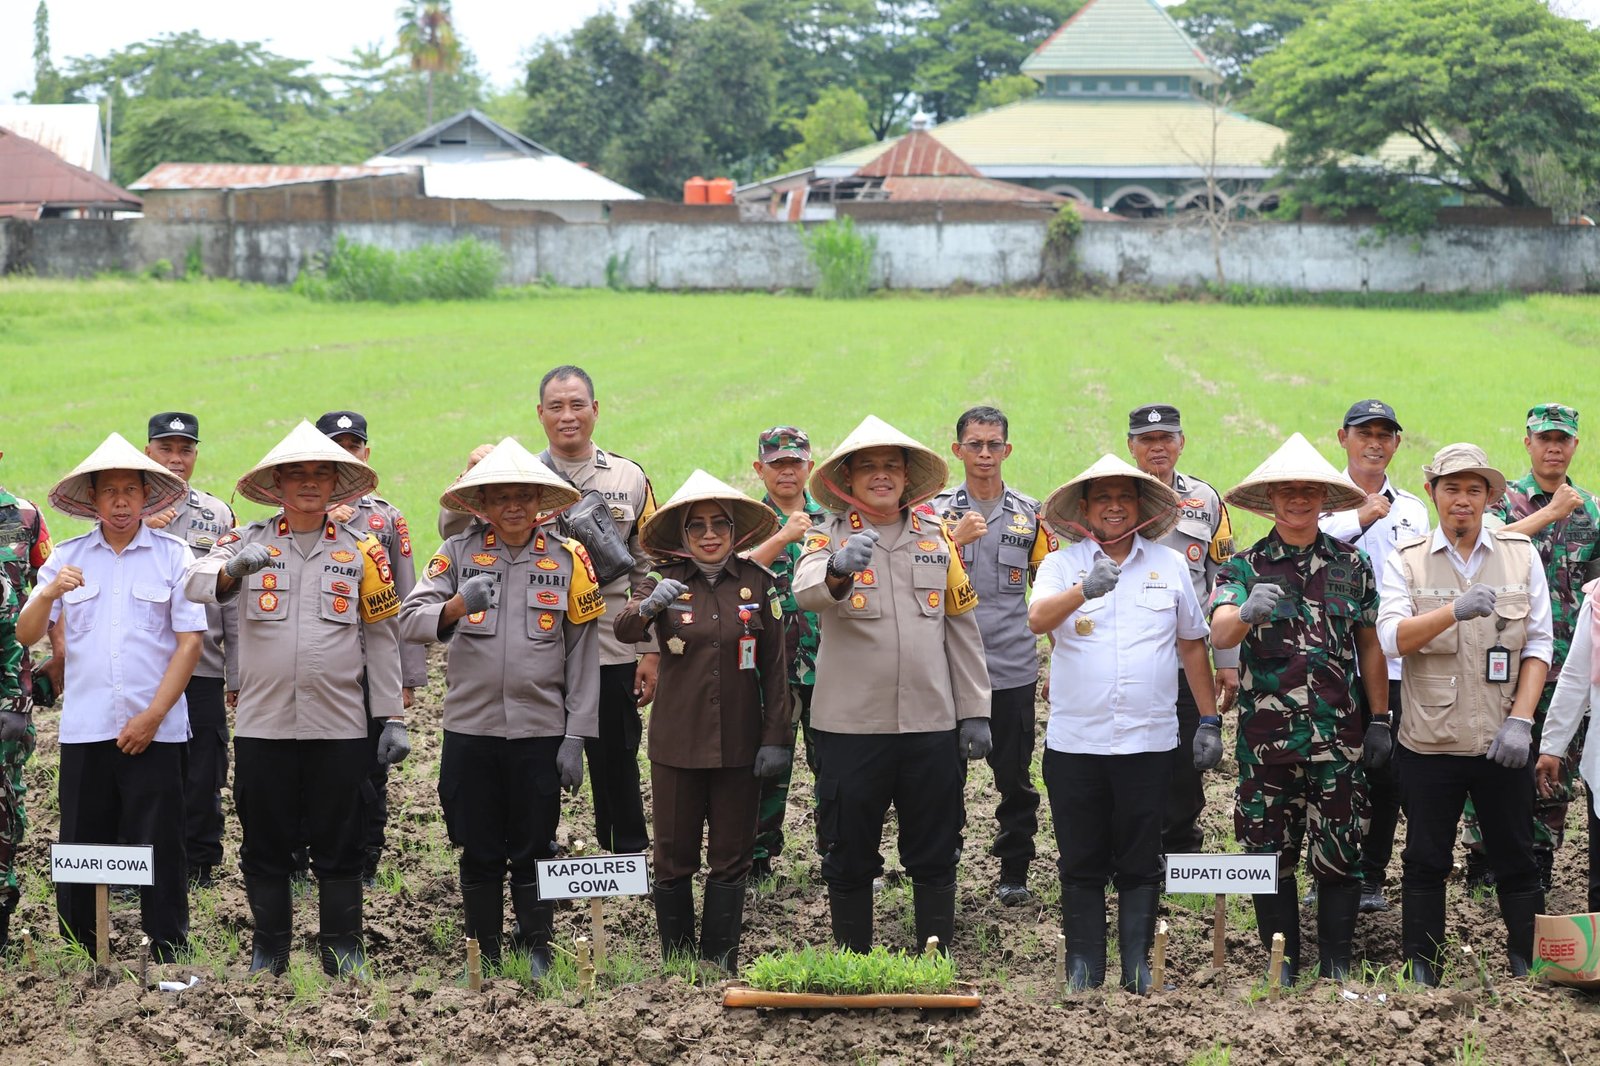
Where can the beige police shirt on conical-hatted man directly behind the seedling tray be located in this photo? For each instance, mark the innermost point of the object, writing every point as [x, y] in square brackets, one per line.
[892, 659]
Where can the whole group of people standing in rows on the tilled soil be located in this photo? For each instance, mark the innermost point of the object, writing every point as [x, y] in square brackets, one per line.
[1377, 665]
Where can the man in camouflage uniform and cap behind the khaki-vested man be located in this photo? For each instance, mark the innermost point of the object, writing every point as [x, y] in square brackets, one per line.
[1564, 524]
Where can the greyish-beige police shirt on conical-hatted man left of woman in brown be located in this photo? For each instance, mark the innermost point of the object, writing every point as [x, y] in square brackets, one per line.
[526, 667]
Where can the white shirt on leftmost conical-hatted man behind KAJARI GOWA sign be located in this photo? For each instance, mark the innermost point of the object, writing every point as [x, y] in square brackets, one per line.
[122, 631]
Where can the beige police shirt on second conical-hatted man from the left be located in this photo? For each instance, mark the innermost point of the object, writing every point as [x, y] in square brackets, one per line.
[302, 639]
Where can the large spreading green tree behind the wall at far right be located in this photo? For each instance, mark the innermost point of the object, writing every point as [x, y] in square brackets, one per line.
[1474, 95]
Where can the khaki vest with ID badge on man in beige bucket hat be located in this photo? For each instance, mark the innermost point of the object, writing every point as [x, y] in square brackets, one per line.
[1449, 710]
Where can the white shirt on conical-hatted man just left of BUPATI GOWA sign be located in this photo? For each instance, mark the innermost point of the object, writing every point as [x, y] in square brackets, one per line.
[1114, 689]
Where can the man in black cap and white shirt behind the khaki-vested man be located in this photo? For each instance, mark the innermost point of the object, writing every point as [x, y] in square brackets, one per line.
[1390, 518]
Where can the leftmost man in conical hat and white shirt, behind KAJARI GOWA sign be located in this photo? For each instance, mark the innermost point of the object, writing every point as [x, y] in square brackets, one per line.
[132, 644]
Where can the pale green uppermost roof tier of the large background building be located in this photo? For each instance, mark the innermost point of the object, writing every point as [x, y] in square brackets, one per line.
[1121, 38]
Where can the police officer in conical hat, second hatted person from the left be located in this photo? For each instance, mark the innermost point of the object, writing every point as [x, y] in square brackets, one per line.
[316, 607]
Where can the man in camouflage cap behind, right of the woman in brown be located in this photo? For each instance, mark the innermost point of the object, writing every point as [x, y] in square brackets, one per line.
[785, 463]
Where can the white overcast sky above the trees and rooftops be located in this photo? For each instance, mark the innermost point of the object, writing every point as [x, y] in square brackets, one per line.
[319, 31]
